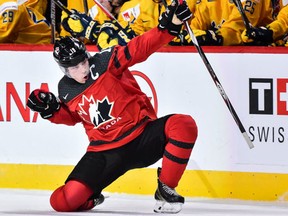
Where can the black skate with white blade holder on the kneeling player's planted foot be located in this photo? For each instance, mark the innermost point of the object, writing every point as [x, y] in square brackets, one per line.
[167, 199]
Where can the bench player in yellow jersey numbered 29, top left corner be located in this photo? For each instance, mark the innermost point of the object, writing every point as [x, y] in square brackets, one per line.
[21, 23]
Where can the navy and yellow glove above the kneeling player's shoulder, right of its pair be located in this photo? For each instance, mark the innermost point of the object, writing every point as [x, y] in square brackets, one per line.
[111, 34]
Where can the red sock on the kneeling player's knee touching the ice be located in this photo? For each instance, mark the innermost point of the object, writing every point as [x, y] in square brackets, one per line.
[73, 196]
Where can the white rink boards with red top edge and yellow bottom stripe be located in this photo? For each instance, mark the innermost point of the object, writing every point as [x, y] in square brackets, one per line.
[35, 154]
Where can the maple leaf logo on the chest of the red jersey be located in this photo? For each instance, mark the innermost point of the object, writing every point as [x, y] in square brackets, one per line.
[96, 112]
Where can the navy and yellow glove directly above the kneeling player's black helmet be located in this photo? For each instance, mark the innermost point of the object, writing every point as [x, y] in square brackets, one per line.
[81, 25]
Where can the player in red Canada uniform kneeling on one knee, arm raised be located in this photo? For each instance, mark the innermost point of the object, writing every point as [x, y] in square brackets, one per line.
[121, 124]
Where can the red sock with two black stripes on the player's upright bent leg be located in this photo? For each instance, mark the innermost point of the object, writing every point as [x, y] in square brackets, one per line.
[181, 131]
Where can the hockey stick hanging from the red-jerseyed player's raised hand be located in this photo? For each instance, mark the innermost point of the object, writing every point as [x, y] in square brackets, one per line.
[217, 82]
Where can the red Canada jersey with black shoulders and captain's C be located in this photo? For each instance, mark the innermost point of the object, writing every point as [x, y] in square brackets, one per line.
[110, 105]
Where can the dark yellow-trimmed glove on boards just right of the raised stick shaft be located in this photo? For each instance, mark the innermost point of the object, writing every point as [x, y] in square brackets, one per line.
[209, 38]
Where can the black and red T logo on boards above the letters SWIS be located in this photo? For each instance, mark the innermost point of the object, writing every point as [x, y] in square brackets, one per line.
[262, 92]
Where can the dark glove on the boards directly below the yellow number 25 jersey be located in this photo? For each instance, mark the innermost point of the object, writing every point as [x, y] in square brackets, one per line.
[257, 36]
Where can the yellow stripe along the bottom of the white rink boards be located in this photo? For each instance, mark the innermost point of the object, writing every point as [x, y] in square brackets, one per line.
[199, 183]
